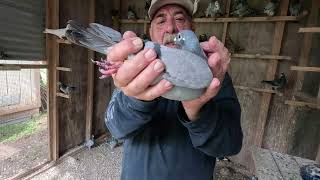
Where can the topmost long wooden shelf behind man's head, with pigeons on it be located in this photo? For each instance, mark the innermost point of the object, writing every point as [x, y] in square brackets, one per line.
[229, 19]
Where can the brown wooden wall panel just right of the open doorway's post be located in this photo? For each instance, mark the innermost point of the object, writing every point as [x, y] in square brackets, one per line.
[72, 111]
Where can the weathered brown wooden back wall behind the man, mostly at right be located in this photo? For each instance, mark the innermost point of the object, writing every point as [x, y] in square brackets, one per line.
[257, 38]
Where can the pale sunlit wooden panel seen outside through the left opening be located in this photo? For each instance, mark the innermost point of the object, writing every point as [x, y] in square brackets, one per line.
[19, 91]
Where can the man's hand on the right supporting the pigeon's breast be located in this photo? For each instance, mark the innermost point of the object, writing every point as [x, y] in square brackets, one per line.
[218, 60]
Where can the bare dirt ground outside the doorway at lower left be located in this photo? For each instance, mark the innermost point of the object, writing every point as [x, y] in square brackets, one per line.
[23, 154]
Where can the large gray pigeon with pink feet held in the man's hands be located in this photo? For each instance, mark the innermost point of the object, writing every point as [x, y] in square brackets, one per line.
[186, 68]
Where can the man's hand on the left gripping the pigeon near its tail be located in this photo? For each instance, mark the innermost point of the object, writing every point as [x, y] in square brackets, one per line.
[135, 76]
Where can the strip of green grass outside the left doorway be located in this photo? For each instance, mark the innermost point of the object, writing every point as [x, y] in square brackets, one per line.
[17, 131]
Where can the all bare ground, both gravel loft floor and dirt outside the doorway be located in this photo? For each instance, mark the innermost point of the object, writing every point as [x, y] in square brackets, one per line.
[100, 162]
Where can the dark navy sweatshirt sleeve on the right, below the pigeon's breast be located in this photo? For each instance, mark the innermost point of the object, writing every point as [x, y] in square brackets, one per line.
[217, 132]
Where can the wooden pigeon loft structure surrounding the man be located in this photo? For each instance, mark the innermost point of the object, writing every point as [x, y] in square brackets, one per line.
[263, 46]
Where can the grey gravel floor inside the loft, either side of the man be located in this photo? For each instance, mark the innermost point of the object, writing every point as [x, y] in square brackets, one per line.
[102, 162]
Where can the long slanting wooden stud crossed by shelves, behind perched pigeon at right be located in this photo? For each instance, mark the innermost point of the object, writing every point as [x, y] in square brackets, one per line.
[271, 72]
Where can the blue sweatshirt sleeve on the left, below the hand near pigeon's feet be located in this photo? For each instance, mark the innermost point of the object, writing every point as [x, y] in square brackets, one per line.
[126, 116]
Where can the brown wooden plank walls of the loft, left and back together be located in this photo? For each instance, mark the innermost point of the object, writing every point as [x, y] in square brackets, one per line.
[255, 37]
